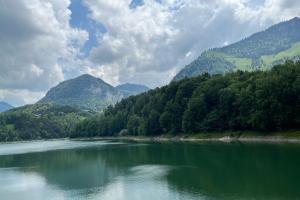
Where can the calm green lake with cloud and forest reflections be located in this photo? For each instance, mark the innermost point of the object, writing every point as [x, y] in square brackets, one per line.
[120, 170]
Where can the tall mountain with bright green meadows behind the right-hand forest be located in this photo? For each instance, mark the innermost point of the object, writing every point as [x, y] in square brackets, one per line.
[262, 50]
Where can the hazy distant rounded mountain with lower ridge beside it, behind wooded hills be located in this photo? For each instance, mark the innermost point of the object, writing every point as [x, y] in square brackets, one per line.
[88, 92]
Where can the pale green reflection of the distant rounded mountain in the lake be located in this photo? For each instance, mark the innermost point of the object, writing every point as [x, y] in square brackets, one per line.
[68, 169]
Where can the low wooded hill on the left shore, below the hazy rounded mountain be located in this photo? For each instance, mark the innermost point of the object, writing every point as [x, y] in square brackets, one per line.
[39, 121]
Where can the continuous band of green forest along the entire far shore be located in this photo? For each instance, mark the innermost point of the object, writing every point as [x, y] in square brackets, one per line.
[259, 101]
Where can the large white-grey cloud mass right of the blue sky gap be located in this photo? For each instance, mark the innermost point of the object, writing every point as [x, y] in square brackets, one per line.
[158, 38]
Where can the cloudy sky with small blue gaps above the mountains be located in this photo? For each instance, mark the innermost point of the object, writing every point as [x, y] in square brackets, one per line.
[44, 42]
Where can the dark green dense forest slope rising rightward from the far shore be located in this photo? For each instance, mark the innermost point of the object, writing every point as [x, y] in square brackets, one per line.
[260, 100]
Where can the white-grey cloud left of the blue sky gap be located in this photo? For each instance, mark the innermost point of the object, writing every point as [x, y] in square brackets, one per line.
[35, 37]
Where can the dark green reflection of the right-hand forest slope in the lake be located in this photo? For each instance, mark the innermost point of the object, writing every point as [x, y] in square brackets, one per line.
[221, 170]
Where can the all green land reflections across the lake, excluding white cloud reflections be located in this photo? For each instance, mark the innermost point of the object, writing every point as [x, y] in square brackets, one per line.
[214, 169]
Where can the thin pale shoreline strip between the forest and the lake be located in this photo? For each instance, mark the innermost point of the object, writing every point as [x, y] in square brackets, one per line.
[292, 136]
